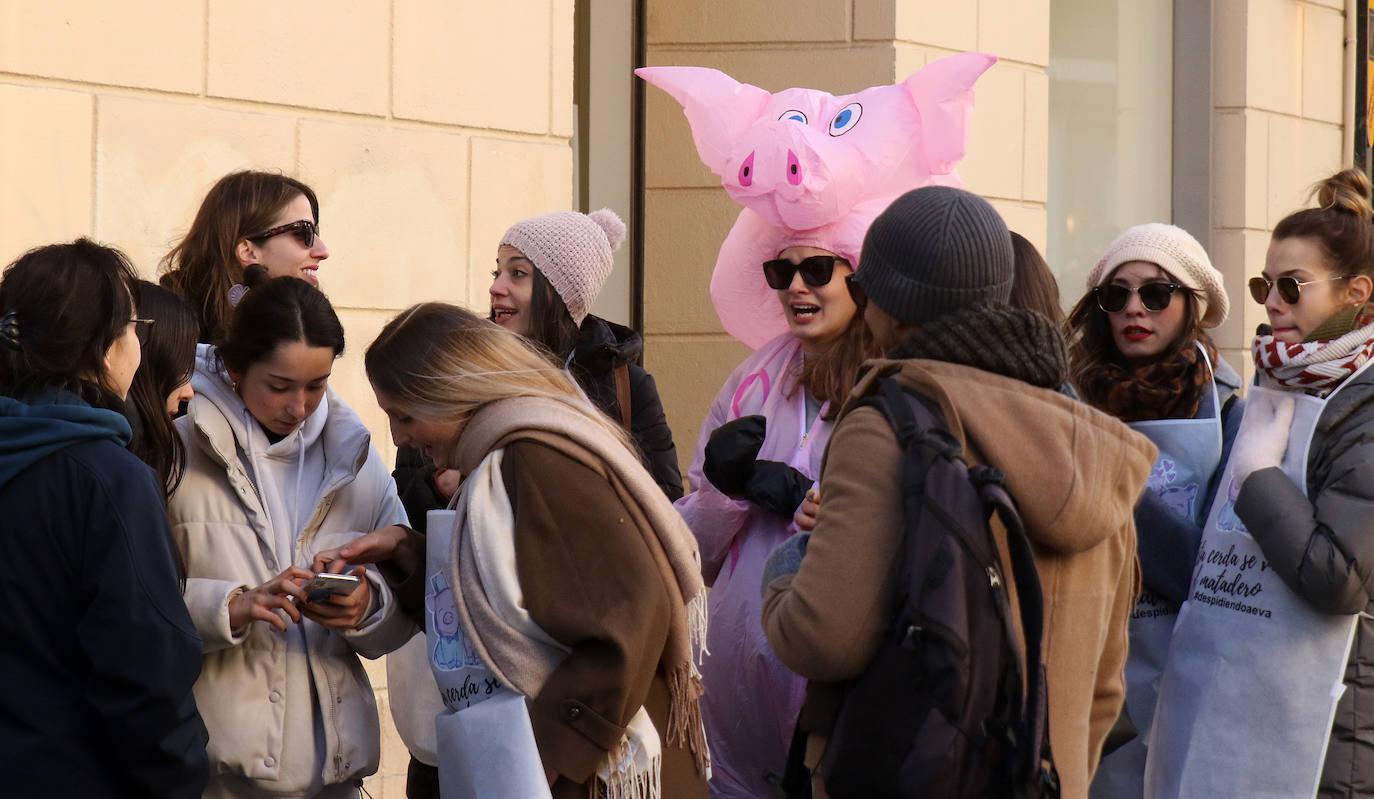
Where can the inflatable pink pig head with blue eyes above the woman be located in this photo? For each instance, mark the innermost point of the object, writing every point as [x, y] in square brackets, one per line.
[815, 170]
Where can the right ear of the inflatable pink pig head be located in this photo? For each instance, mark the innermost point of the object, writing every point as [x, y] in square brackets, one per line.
[943, 94]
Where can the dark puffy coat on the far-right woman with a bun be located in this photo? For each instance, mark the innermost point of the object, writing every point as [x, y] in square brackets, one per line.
[1324, 550]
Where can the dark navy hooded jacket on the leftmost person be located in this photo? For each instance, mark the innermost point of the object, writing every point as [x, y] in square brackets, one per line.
[100, 654]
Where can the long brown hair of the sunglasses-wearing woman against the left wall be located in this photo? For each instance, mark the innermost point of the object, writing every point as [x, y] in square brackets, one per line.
[205, 264]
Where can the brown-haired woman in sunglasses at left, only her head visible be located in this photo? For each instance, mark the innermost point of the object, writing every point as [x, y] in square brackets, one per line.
[248, 218]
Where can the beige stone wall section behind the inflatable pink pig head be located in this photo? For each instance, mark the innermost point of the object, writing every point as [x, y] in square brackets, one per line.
[842, 47]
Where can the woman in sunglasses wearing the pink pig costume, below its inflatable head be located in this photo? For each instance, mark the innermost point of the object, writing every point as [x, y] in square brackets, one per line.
[758, 455]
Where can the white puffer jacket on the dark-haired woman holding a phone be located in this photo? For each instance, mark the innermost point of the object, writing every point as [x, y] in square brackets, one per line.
[256, 688]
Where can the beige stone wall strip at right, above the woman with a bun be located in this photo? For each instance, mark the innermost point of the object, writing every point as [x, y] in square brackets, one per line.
[1279, 97]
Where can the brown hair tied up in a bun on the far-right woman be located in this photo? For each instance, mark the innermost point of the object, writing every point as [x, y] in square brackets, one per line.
[1343, 226]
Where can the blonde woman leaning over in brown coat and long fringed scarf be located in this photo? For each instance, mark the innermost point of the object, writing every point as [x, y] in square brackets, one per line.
[567, 590]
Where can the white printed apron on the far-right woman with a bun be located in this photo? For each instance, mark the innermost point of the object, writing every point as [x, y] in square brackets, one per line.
[1254, 675]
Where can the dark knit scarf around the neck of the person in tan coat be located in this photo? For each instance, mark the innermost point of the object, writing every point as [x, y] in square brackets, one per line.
[1012, 343]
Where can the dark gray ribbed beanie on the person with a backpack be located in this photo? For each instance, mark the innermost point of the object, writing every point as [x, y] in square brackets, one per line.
[934, 252]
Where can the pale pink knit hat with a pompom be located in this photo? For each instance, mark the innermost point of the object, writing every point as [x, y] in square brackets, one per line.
[572, 251]
